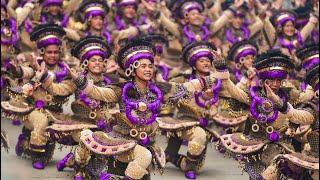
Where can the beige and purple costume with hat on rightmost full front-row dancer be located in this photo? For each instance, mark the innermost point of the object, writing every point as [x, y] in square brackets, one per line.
[264, 135]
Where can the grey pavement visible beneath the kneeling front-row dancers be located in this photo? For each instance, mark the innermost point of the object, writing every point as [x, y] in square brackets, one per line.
[217, 167]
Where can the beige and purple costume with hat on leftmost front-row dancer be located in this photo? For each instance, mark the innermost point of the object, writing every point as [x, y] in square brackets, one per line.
[42, 96]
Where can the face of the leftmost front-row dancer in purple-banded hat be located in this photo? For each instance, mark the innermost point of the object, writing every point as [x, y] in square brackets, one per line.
[51, 55]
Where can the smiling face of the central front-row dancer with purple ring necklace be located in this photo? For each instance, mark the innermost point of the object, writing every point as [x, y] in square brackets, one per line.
[145, 71]
